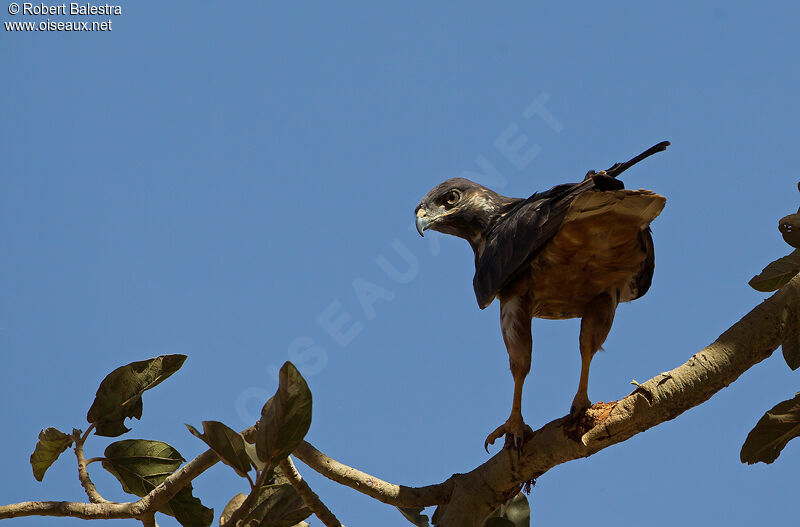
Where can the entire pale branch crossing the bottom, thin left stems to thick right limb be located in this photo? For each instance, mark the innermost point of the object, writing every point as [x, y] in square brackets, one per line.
[472, 496]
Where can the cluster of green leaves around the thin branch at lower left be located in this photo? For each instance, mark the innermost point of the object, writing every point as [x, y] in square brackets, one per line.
[141, 465]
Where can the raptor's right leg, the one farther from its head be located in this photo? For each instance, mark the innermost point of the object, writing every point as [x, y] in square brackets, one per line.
[595, 325]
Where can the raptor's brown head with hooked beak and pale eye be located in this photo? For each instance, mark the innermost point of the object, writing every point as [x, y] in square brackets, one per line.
[459, 207]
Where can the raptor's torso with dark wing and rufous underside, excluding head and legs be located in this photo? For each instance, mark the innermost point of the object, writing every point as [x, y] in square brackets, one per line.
[572, 238]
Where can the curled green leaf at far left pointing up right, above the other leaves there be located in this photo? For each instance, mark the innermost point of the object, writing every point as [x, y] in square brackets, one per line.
[120, 394]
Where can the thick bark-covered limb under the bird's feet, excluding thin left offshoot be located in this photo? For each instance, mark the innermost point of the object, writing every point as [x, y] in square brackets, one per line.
[660, 399]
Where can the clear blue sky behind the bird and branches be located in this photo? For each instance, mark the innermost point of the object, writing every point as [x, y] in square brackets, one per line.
[219, 180]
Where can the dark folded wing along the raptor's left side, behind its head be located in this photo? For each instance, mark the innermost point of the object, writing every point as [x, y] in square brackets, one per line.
[518, 236]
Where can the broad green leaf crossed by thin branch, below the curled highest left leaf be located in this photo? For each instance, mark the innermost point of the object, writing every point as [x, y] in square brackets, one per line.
[141, 465]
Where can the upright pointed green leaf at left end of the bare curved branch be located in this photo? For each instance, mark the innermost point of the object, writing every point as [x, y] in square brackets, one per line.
[285, 418]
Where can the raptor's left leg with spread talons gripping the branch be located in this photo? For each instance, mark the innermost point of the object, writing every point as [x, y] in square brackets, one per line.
[515, 321]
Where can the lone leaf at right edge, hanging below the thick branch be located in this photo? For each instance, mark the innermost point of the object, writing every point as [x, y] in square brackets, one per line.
[772, 432]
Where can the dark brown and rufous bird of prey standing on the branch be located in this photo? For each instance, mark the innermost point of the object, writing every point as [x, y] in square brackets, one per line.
[574, 251]
